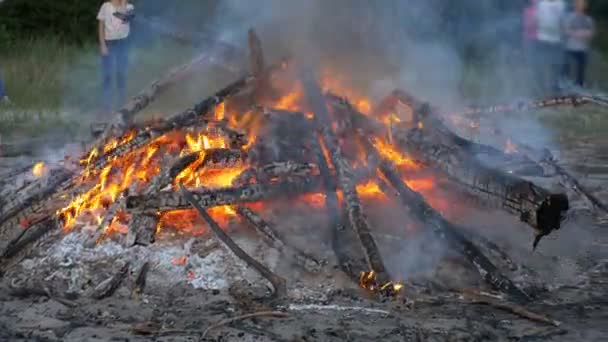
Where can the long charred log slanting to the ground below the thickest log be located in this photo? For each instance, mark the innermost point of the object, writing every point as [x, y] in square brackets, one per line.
[443, 228]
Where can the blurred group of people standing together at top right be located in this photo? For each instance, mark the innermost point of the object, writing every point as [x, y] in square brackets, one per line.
[557, 41]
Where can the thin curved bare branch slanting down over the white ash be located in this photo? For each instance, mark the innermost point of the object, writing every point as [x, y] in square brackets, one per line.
[279, 284]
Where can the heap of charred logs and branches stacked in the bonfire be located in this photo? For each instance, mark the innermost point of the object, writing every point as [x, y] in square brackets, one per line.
[297, 154]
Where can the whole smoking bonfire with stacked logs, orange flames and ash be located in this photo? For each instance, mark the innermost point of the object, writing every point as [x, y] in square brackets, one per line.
[276, 156]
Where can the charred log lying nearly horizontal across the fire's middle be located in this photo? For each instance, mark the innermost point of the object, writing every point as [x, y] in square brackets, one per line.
[165, 201]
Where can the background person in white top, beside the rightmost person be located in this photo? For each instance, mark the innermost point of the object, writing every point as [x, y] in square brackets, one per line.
[549, 16]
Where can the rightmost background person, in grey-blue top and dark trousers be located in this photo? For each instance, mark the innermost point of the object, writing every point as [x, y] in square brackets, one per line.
[579, 29]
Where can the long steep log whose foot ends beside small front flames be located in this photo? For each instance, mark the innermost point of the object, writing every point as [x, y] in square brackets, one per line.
[357, 219]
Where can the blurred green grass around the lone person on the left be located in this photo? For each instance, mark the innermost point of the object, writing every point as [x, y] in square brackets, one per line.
[55, 87]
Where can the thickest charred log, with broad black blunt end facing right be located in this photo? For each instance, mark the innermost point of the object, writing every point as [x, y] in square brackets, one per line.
[436, 146]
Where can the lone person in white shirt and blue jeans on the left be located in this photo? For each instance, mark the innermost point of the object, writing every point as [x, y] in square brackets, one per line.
[114, 29]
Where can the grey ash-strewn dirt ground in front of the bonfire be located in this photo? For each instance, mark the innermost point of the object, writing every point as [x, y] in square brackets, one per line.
[567, 278]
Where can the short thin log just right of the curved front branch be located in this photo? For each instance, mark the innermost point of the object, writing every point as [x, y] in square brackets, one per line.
[274, 239]
